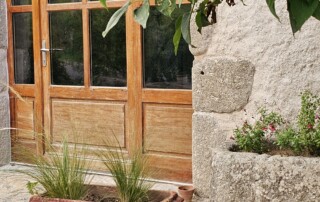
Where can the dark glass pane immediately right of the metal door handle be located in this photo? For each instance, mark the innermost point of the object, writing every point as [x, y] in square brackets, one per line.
[66, 45]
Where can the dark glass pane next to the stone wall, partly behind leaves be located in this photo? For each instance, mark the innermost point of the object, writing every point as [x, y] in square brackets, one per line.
[162, 68]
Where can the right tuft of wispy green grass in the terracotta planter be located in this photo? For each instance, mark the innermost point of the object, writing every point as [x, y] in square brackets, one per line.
[130, 174]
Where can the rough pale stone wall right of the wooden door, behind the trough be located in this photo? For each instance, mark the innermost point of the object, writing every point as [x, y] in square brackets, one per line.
[245, 61]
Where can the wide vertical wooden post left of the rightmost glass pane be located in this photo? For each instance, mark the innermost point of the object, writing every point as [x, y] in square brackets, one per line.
[134, 78]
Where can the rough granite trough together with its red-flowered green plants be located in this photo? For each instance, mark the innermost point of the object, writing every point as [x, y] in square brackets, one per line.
[285, 162]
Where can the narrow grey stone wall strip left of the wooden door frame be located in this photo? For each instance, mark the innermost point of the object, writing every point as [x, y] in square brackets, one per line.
[5, 149]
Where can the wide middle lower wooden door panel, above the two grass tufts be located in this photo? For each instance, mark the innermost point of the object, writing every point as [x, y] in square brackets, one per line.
[88, 122]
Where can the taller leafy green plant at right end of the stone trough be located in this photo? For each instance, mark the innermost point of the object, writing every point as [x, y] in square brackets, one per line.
[305, 139]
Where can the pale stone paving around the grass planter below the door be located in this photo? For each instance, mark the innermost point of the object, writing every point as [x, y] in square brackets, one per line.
[13, 184]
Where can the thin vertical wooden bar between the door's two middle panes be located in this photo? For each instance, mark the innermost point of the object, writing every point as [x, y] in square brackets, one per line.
[86, 47]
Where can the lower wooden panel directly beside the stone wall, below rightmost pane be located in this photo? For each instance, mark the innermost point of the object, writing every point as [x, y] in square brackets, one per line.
[167, 128]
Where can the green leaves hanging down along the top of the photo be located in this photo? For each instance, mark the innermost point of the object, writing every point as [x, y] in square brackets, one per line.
[205, 14]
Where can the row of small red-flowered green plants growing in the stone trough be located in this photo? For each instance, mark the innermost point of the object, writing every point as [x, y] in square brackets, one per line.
[270, 131]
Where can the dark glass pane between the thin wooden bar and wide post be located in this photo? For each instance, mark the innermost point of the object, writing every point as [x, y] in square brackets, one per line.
[108, 55]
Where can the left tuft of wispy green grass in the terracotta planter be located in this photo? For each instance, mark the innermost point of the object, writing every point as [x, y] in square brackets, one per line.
[61, 174]
